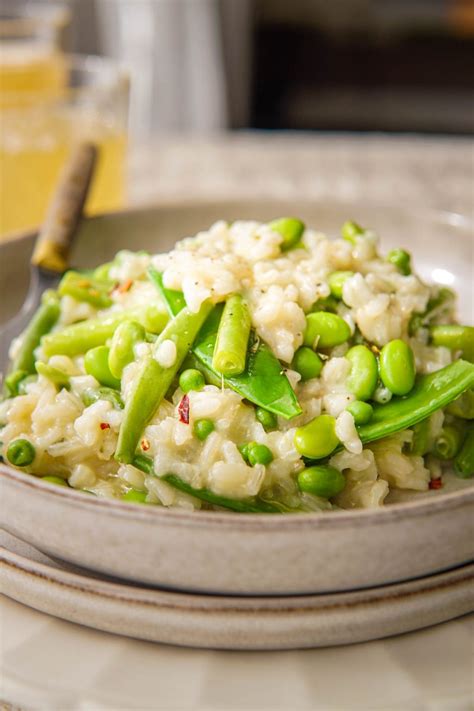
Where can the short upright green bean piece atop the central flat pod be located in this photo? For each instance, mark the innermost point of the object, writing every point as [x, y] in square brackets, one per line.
[230, 352]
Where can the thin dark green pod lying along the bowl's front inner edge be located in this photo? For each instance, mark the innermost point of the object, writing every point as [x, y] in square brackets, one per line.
[145, 464]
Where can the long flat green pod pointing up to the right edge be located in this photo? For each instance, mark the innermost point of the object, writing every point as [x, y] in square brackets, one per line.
[430, 393]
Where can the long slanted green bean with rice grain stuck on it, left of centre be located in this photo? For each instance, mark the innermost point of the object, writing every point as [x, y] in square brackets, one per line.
[152, 380]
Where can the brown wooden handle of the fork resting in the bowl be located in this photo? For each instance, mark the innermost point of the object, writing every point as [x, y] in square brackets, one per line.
[54, 240]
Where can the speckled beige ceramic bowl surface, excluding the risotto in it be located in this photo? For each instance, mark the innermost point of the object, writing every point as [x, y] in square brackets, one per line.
[224, 552]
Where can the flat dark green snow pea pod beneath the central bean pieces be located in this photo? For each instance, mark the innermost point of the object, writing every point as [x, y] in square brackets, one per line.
[263, 381]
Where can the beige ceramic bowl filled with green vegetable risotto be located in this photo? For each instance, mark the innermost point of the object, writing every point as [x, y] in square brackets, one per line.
[221, 398]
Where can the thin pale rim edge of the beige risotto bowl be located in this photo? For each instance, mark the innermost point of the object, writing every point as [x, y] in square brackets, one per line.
[151, 514]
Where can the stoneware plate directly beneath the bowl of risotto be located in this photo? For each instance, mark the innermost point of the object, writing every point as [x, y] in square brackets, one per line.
[232, 622]
